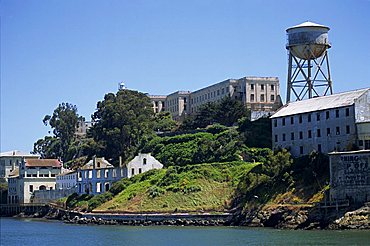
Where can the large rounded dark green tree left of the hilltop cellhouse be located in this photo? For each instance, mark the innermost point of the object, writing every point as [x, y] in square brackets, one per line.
[122, 122]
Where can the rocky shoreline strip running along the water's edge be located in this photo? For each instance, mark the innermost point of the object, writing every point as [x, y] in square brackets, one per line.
[283, 217]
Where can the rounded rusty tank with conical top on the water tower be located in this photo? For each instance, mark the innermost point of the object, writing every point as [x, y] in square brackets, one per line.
[308, 40]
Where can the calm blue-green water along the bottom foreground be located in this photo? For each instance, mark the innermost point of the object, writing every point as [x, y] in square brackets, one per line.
[31, 232]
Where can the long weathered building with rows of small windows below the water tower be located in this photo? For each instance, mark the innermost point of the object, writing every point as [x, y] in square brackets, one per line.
[338, 122]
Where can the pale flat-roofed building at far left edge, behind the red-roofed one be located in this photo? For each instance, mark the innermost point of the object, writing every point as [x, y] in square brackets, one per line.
[11, 159]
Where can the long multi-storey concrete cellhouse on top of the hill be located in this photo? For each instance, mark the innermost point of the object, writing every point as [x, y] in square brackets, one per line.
[260, 94]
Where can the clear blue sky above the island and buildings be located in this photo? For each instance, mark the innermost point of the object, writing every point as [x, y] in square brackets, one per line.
[76, 51]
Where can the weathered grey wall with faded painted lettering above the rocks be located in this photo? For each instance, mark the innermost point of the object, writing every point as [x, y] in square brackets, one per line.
[350, 176]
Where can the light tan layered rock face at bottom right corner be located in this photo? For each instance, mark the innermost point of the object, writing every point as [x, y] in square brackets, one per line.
[358, 219]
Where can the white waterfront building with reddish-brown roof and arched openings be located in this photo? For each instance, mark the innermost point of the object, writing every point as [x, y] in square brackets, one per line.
[30, 176]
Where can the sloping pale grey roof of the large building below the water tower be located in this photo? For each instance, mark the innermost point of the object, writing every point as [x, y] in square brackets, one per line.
[320, 103]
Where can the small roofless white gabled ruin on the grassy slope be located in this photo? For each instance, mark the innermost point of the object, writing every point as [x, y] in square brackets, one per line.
[141, 164]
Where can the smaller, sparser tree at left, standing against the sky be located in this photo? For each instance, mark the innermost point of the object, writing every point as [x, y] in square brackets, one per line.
[63, 122]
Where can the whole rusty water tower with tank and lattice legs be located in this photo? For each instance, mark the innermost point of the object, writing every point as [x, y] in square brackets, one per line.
[308, 68]
